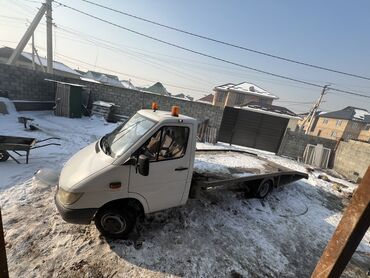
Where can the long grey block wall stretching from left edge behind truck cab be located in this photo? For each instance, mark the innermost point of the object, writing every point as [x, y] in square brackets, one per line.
[25, 84]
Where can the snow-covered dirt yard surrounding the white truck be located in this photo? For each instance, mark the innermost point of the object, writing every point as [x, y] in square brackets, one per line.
[222, 234]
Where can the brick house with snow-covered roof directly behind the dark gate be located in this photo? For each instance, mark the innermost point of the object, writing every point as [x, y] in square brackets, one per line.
[238, 94]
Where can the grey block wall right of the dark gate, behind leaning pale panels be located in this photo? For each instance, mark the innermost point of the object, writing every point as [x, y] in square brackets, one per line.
[294, 144]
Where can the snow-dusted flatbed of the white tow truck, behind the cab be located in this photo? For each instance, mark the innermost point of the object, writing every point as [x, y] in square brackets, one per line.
[244, 177]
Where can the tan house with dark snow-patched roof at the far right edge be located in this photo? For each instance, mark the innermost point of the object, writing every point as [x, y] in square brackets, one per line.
[345, 124]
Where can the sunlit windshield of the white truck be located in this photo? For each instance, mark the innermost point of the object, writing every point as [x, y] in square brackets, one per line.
[124, 136]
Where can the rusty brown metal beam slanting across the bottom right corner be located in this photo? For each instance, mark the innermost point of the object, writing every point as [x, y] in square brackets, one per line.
[348, 235]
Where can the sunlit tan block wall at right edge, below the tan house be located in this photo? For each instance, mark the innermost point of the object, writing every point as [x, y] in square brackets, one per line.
[352, 157]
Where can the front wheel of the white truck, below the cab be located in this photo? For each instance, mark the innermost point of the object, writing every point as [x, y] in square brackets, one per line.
[115, 222]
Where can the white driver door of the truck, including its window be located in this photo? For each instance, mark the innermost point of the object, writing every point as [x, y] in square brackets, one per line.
[168, 151]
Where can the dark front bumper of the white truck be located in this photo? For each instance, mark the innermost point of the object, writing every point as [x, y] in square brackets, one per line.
[75, 216]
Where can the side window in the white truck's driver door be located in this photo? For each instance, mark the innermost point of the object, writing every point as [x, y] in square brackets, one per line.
[167, 143]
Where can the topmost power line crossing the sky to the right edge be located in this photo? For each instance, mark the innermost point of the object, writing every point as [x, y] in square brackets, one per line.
[227, 43]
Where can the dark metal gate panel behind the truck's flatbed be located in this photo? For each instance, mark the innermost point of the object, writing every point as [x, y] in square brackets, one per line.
[252, 129]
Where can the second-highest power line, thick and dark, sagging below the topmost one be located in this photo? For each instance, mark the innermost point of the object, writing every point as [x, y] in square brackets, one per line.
[204, 54]
